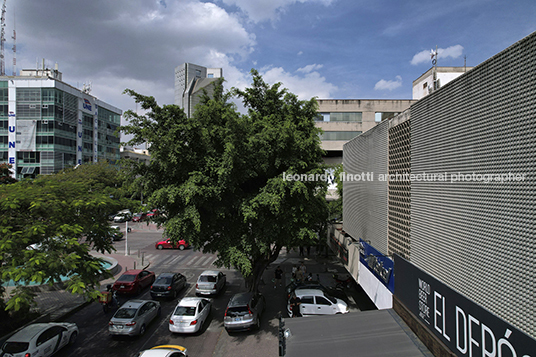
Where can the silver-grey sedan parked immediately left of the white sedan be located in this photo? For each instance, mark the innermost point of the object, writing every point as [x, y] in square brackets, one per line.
[133, 317]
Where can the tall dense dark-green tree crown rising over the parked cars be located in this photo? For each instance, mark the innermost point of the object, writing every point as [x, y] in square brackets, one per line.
[222, 178]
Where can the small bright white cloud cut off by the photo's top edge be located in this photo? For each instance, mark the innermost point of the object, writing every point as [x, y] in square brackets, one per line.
[261, 10]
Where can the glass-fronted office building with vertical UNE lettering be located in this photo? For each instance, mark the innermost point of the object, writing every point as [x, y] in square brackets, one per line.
[47, 125]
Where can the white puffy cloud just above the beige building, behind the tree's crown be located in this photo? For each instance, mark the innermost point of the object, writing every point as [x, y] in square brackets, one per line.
[307, 86]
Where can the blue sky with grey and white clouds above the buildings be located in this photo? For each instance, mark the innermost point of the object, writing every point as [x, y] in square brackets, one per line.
[339, 49]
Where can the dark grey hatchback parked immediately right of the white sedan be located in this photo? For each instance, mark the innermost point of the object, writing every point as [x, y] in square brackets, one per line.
[244, 312]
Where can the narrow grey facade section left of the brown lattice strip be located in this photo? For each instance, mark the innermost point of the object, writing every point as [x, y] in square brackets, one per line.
[365, 197]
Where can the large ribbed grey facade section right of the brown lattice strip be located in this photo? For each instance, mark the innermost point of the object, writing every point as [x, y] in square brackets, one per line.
[477, 237]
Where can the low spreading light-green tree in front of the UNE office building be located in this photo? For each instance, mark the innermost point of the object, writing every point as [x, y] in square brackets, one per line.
[50, 224]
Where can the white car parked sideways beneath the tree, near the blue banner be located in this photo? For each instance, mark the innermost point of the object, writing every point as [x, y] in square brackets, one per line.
[317, 302]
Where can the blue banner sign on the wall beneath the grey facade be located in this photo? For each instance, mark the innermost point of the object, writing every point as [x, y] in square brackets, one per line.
[379, 264]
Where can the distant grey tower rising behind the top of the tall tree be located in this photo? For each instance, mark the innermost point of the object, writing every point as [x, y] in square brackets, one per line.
[190, 79]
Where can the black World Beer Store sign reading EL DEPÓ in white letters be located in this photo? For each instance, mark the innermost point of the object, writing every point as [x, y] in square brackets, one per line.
[464, 327]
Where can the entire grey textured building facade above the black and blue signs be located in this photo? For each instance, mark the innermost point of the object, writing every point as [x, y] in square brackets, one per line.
[467, 213]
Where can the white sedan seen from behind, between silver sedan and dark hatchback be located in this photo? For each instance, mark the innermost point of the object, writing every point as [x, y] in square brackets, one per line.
[190, 314]
